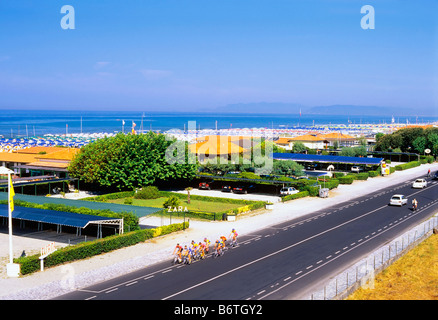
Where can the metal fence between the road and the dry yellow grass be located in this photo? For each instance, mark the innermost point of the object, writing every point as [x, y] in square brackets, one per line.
[362, 273]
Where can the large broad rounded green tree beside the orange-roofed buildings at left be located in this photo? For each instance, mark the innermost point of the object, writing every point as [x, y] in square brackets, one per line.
[131, 161]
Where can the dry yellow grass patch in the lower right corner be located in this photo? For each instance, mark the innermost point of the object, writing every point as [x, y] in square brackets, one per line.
[412, 277]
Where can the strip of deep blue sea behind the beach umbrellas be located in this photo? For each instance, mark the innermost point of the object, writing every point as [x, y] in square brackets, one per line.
[29, 123]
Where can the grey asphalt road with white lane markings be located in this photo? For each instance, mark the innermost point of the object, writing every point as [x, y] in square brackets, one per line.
[285, 261]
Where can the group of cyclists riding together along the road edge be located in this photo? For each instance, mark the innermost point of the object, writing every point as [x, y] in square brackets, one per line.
[196, 251]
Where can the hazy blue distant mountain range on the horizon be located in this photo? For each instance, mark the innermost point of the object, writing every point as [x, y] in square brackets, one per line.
[295, 108]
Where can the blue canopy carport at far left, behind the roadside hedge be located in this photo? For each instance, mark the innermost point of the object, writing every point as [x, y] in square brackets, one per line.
[60, 219]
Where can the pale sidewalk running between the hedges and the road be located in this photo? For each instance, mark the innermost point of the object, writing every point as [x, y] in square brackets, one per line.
[62, 279]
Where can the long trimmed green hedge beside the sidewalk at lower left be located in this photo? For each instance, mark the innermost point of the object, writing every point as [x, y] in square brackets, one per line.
[84, 250]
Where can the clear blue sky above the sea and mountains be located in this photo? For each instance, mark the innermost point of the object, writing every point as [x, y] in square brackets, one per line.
[202, 54]
